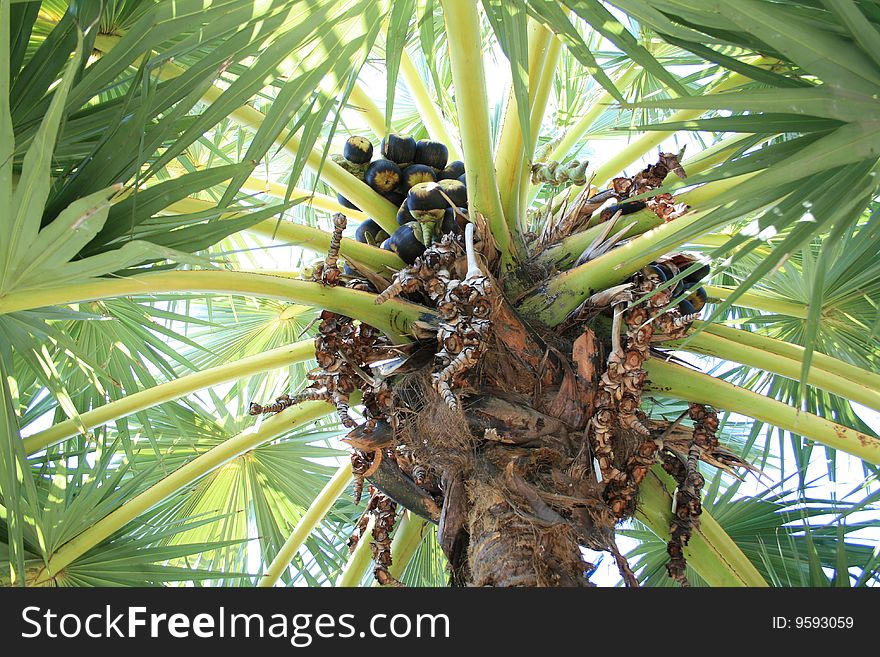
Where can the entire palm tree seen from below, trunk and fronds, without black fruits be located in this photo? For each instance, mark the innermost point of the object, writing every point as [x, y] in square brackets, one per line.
[156, 154]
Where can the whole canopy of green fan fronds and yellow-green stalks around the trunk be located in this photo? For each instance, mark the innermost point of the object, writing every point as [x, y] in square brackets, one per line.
[157, 166]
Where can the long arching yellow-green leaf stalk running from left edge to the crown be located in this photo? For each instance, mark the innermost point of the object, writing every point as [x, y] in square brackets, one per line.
[394, 317]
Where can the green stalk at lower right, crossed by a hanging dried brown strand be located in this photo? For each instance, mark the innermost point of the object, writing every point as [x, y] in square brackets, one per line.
[710, 551]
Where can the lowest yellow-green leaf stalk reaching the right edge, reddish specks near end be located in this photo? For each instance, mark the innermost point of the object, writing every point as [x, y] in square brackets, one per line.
[683, 383]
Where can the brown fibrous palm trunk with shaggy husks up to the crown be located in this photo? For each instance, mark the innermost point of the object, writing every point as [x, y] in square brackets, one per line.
[519, 497]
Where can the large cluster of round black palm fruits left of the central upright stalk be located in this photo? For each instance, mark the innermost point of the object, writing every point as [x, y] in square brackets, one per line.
[416, 176]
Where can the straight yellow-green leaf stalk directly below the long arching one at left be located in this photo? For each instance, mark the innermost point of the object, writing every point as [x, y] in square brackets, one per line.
[164, 392]
